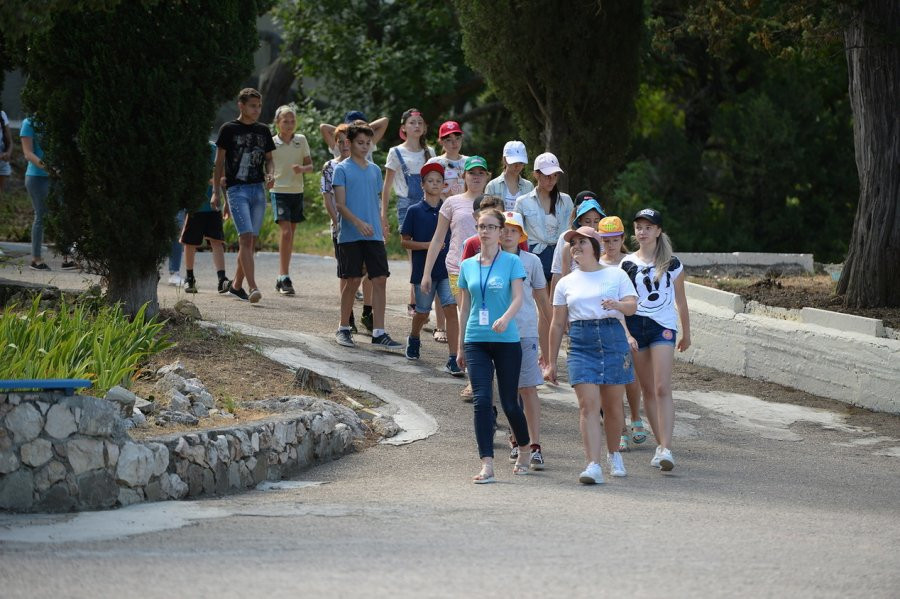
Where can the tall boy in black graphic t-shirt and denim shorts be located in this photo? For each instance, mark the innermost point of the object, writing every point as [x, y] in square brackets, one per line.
[244, 156]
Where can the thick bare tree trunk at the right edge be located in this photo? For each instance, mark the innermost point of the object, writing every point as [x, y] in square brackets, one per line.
[871, 274]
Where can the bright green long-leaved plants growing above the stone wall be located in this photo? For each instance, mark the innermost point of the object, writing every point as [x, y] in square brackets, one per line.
[105, 348]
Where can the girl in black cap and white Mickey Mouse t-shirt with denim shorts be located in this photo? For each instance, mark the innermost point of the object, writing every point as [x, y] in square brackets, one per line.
[658, 277]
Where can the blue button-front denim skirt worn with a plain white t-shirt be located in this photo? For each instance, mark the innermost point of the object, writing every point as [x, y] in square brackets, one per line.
[599, 353]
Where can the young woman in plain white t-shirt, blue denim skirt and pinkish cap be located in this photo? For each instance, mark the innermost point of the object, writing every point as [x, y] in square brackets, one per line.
[592, 301]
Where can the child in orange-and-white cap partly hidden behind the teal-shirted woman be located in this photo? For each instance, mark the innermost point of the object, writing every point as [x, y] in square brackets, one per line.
[534, 302]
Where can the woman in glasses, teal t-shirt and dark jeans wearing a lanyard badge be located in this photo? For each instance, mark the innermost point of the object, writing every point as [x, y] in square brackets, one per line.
[490, 286]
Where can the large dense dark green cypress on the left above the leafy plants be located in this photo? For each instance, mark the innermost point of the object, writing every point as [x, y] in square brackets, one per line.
[125, 97]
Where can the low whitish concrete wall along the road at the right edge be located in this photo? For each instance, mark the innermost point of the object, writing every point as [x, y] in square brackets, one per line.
[833, 355]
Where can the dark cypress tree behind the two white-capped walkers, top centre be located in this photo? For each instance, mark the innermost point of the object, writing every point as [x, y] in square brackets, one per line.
[568, 72]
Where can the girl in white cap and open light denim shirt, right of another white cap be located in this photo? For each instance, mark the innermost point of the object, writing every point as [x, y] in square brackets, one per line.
[546, 211]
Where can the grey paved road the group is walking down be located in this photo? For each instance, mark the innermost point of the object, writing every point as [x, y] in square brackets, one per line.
[767, 499]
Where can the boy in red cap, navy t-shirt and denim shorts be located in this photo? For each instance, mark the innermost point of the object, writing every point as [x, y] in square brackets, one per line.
[417, 229]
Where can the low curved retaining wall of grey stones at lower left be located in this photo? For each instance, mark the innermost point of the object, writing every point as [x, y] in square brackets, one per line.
[61, 453]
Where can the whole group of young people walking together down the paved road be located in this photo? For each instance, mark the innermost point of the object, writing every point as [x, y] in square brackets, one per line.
[508, 265]
